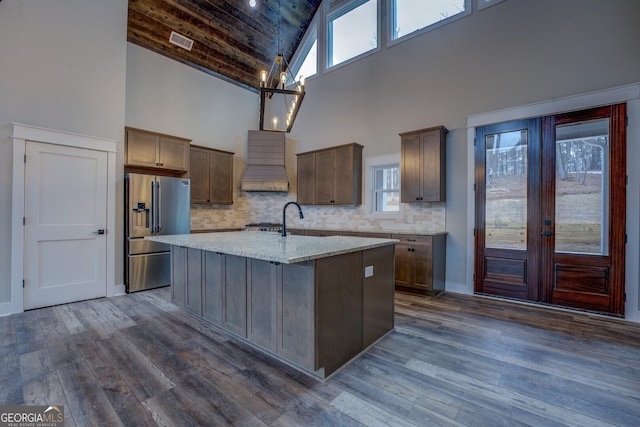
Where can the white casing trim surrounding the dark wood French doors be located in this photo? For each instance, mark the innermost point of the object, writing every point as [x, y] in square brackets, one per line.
[627, 93]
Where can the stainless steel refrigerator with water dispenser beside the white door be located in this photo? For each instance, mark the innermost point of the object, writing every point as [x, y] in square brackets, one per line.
[155, 205]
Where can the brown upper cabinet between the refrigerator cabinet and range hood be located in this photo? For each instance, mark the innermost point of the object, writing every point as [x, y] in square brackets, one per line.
[211, 173]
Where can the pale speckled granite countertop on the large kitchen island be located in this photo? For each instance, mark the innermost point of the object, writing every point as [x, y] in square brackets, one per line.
[271, 246]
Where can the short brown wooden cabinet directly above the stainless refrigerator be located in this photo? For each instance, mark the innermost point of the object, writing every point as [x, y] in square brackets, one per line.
[157, 151]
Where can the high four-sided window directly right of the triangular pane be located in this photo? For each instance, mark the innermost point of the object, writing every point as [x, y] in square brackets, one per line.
[353, 30]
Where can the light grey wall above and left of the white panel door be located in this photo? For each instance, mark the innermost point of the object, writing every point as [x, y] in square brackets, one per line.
[62, 66]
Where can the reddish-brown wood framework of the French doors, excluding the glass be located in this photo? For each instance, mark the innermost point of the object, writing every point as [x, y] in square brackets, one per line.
[539, 273]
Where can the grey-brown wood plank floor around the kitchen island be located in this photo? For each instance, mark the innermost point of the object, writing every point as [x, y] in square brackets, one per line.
[452, 360]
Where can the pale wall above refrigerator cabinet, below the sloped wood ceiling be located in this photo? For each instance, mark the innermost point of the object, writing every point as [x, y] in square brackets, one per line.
[167, 96]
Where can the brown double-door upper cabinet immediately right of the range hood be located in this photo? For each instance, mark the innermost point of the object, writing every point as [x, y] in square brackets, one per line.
[331, 176]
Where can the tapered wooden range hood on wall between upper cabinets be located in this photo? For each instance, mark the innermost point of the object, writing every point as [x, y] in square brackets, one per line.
[265, 170]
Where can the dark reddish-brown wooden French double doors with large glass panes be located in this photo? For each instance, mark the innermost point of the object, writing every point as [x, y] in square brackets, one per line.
[550, 209]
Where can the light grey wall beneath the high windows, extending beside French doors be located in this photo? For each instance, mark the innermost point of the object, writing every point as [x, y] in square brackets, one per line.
[514, 53]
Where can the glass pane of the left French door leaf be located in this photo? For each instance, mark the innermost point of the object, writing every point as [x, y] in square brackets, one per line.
[506, 190]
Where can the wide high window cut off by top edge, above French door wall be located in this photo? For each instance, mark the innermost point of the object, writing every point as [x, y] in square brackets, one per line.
[410, 16]
